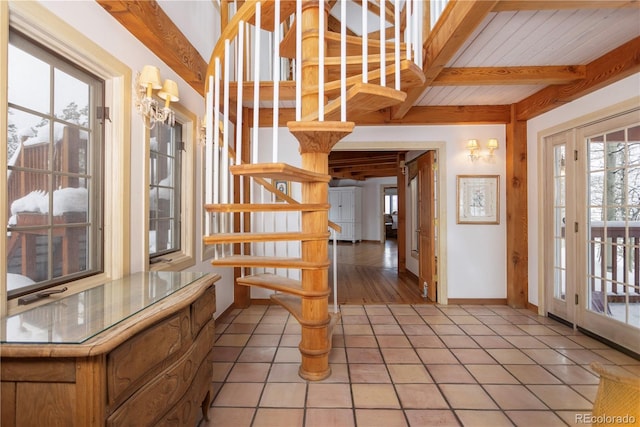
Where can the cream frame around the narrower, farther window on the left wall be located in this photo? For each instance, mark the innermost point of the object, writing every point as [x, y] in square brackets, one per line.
[185, 256]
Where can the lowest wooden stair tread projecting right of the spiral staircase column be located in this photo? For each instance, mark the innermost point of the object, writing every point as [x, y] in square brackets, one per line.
[362, 98]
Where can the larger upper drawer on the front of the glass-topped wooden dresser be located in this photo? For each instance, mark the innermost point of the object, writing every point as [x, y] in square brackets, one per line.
[131, 364]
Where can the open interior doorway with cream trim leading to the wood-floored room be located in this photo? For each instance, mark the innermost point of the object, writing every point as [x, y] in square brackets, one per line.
[406, 271]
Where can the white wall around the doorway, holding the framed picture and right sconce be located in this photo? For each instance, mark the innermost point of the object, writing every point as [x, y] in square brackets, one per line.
[476, 254]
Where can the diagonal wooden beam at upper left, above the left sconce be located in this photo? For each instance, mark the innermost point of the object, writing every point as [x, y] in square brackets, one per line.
[150, 24]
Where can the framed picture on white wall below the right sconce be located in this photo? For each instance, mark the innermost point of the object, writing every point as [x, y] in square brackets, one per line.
[478, 199]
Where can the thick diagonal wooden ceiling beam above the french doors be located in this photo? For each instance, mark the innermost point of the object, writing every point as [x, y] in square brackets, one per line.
[609, 68]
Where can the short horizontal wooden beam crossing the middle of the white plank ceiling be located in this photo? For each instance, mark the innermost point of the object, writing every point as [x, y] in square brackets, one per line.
[480, 76]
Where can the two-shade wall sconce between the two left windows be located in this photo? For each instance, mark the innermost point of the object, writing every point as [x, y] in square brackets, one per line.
[146, 82]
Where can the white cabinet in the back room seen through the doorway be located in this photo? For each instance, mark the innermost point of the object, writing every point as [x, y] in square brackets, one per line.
[346, 211]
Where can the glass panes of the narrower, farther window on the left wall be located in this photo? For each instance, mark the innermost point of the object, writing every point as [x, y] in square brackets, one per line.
[165, 172]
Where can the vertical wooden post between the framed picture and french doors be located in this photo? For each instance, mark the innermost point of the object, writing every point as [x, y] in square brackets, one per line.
[517, 219]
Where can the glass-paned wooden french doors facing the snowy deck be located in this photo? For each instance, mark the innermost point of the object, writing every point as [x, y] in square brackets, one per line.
[593, 228]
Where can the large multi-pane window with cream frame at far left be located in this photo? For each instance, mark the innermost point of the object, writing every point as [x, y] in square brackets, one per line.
[102, 168]
